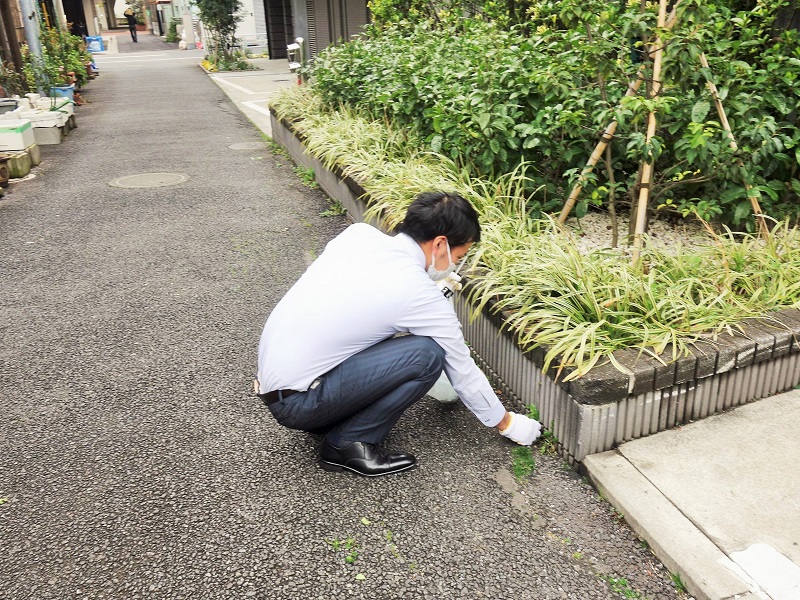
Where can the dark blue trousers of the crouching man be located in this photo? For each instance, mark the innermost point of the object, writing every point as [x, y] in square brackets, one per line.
[362, 398]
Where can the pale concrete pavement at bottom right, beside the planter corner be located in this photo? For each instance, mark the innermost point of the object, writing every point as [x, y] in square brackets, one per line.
[718, 499]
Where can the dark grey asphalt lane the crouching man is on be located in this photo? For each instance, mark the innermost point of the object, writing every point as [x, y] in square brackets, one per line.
[134, 461]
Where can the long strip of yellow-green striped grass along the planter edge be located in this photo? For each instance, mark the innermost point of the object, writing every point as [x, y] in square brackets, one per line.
[580, 306]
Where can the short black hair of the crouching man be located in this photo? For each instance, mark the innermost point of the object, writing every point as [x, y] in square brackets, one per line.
[432, 214]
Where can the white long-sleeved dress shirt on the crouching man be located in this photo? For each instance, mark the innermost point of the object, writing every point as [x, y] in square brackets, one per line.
[364, 288]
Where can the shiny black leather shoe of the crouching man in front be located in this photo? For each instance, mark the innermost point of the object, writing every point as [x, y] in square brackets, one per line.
[365, 459]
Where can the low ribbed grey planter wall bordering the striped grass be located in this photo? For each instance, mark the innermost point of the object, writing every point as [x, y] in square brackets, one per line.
[606, 407]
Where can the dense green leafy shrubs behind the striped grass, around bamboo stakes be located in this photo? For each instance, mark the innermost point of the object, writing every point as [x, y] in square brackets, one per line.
[489, 97]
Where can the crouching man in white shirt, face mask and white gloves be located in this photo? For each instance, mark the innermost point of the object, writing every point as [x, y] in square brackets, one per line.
[331, 362]
